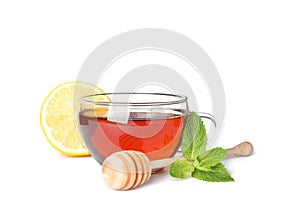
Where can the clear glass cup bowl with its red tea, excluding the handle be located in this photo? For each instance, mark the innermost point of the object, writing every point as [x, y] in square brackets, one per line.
[151, 123]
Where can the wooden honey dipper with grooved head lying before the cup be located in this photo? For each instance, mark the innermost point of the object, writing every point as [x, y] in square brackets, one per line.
[126, 170]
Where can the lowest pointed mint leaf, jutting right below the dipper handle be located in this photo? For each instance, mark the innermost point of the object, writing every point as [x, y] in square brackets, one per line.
[218, 174]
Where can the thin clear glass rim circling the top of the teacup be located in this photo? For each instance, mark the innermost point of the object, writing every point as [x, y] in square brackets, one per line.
[181, 99]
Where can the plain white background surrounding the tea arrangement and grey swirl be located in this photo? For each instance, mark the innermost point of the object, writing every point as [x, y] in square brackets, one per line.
[254, 44]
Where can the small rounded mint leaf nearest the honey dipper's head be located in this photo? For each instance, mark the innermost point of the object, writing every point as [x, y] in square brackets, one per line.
[181, 169]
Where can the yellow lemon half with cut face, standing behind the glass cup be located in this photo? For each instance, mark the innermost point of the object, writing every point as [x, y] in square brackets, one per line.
[59, 115]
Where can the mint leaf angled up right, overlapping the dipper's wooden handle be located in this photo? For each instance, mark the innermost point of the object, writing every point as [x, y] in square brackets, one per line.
[212, 157]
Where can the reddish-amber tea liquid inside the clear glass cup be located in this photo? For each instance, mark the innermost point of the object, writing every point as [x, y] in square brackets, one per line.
[157, 135]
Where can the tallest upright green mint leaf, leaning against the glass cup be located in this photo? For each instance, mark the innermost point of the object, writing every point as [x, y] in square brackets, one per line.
[194, 138]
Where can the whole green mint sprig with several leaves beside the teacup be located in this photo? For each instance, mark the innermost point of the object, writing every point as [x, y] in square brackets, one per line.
[201, 164]
